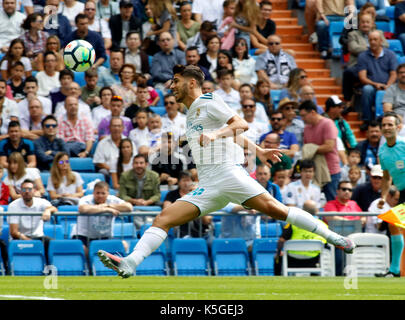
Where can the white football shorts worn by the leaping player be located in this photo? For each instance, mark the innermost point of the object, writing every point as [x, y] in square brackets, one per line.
[228, 183]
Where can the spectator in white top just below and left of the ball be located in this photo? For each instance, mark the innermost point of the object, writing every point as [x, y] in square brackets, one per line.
[48, 79]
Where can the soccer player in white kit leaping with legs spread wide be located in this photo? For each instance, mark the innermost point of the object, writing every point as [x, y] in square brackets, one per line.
[214, 134]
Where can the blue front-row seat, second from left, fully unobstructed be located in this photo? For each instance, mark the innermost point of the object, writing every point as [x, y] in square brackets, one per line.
[68, 257]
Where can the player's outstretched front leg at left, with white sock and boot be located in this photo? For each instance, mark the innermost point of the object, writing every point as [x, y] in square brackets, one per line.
[177, 214]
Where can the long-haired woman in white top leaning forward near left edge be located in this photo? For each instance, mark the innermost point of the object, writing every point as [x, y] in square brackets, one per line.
[18, 172]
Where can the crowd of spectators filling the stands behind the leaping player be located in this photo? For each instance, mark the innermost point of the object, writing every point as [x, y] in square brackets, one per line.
[122, 115]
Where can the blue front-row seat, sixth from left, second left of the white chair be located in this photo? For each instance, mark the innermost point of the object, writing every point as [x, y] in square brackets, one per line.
[230, 257]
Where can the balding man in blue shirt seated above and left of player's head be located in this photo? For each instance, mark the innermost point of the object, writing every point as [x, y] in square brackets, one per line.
[164, 61]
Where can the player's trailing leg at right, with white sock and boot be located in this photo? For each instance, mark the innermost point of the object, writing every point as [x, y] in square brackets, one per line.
[266, 204]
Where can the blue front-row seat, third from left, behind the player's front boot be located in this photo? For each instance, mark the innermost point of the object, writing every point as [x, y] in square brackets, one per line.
[112, 246]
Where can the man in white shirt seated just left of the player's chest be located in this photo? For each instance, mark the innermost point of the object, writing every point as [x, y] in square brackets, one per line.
[173, 121]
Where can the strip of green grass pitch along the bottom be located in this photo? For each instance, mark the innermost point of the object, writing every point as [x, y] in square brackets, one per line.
[201, 288]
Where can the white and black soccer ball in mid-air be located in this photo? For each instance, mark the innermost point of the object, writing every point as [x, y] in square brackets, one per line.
[79, 55]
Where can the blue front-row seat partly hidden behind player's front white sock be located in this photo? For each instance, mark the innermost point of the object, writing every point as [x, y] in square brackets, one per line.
[154, 265]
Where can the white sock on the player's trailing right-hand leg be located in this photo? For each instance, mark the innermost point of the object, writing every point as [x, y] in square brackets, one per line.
[305, 220]
